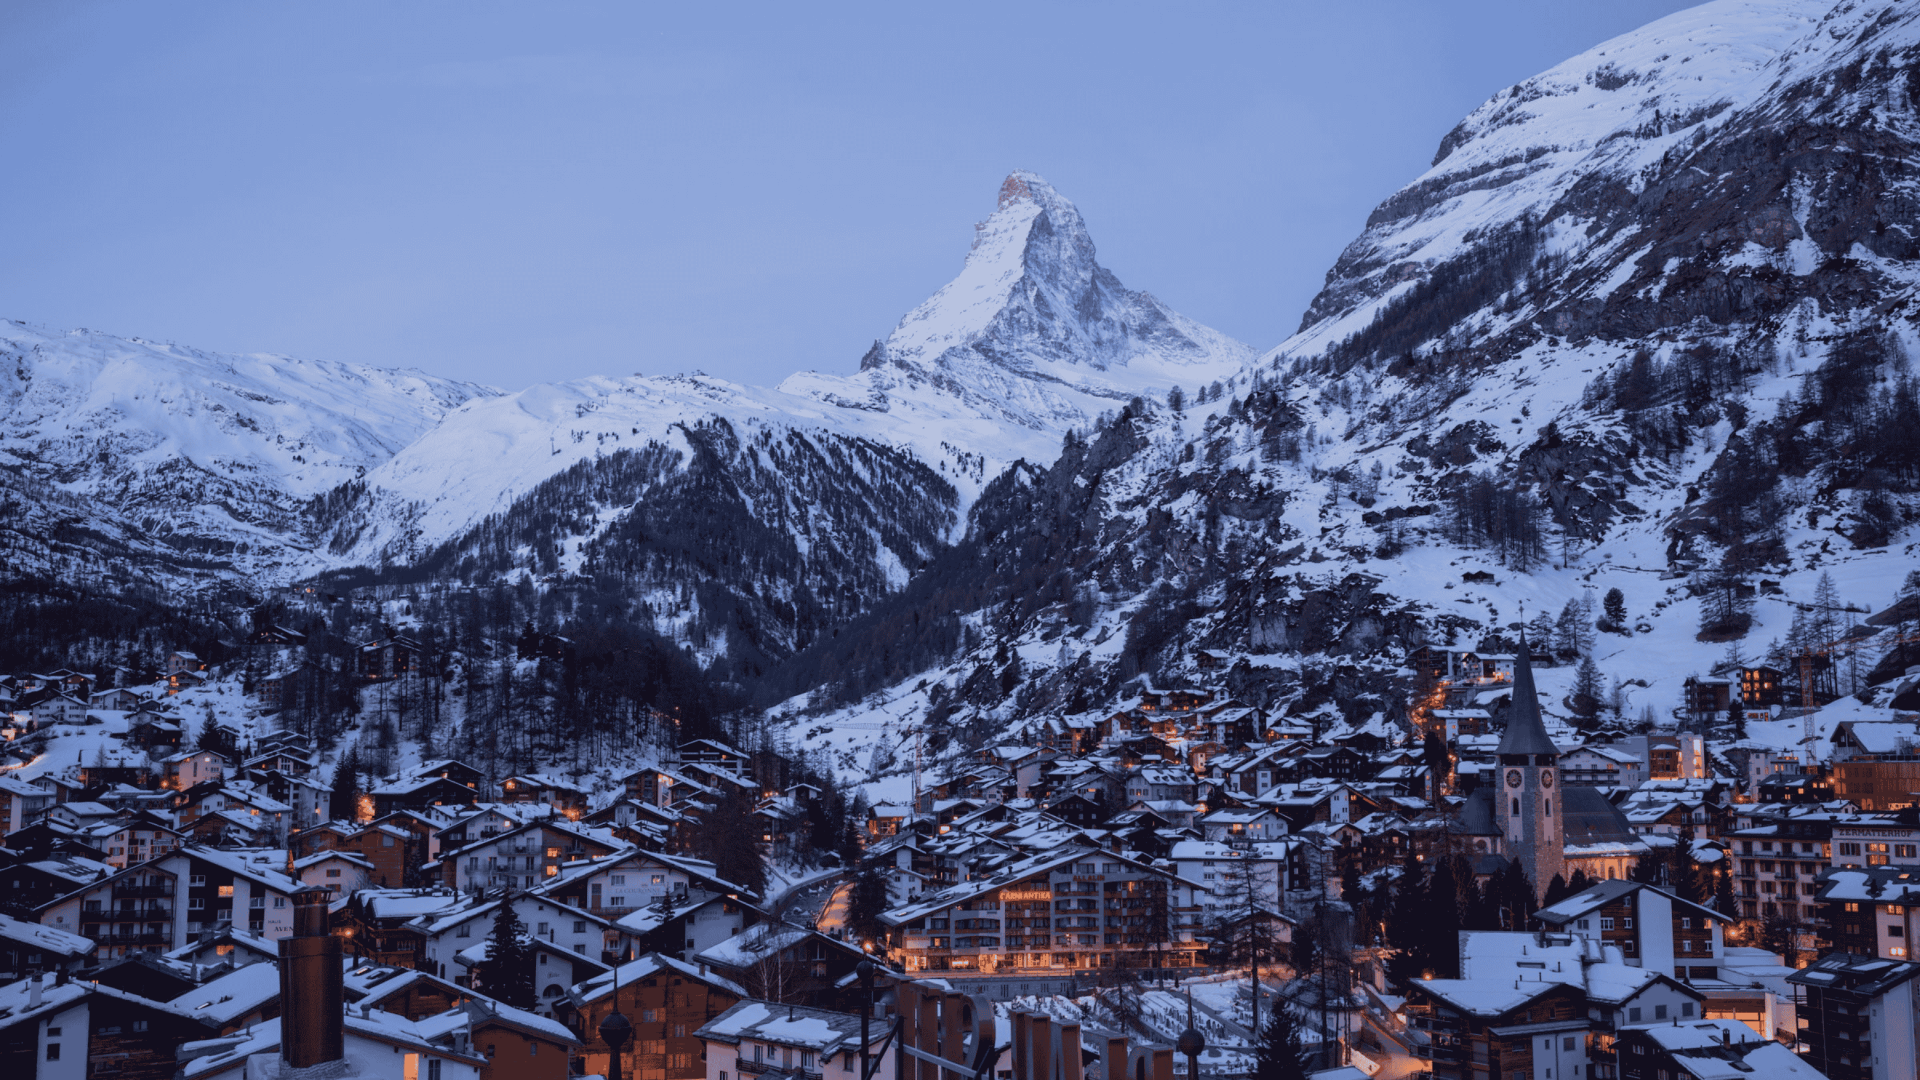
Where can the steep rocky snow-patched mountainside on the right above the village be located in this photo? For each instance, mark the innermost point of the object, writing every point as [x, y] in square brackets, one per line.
[1646, 326]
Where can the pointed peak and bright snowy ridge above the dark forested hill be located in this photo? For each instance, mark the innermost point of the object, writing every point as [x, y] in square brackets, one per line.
[1028, 343]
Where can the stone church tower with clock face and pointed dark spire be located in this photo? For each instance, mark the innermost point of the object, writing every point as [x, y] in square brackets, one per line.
[1527, 800]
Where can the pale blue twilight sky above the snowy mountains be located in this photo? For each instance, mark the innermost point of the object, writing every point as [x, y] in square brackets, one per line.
[517, 193]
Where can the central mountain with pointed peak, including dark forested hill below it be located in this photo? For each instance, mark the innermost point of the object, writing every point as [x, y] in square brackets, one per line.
[746, 524]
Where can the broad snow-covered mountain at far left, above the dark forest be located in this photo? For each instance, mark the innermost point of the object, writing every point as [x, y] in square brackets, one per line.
[183, 456]
